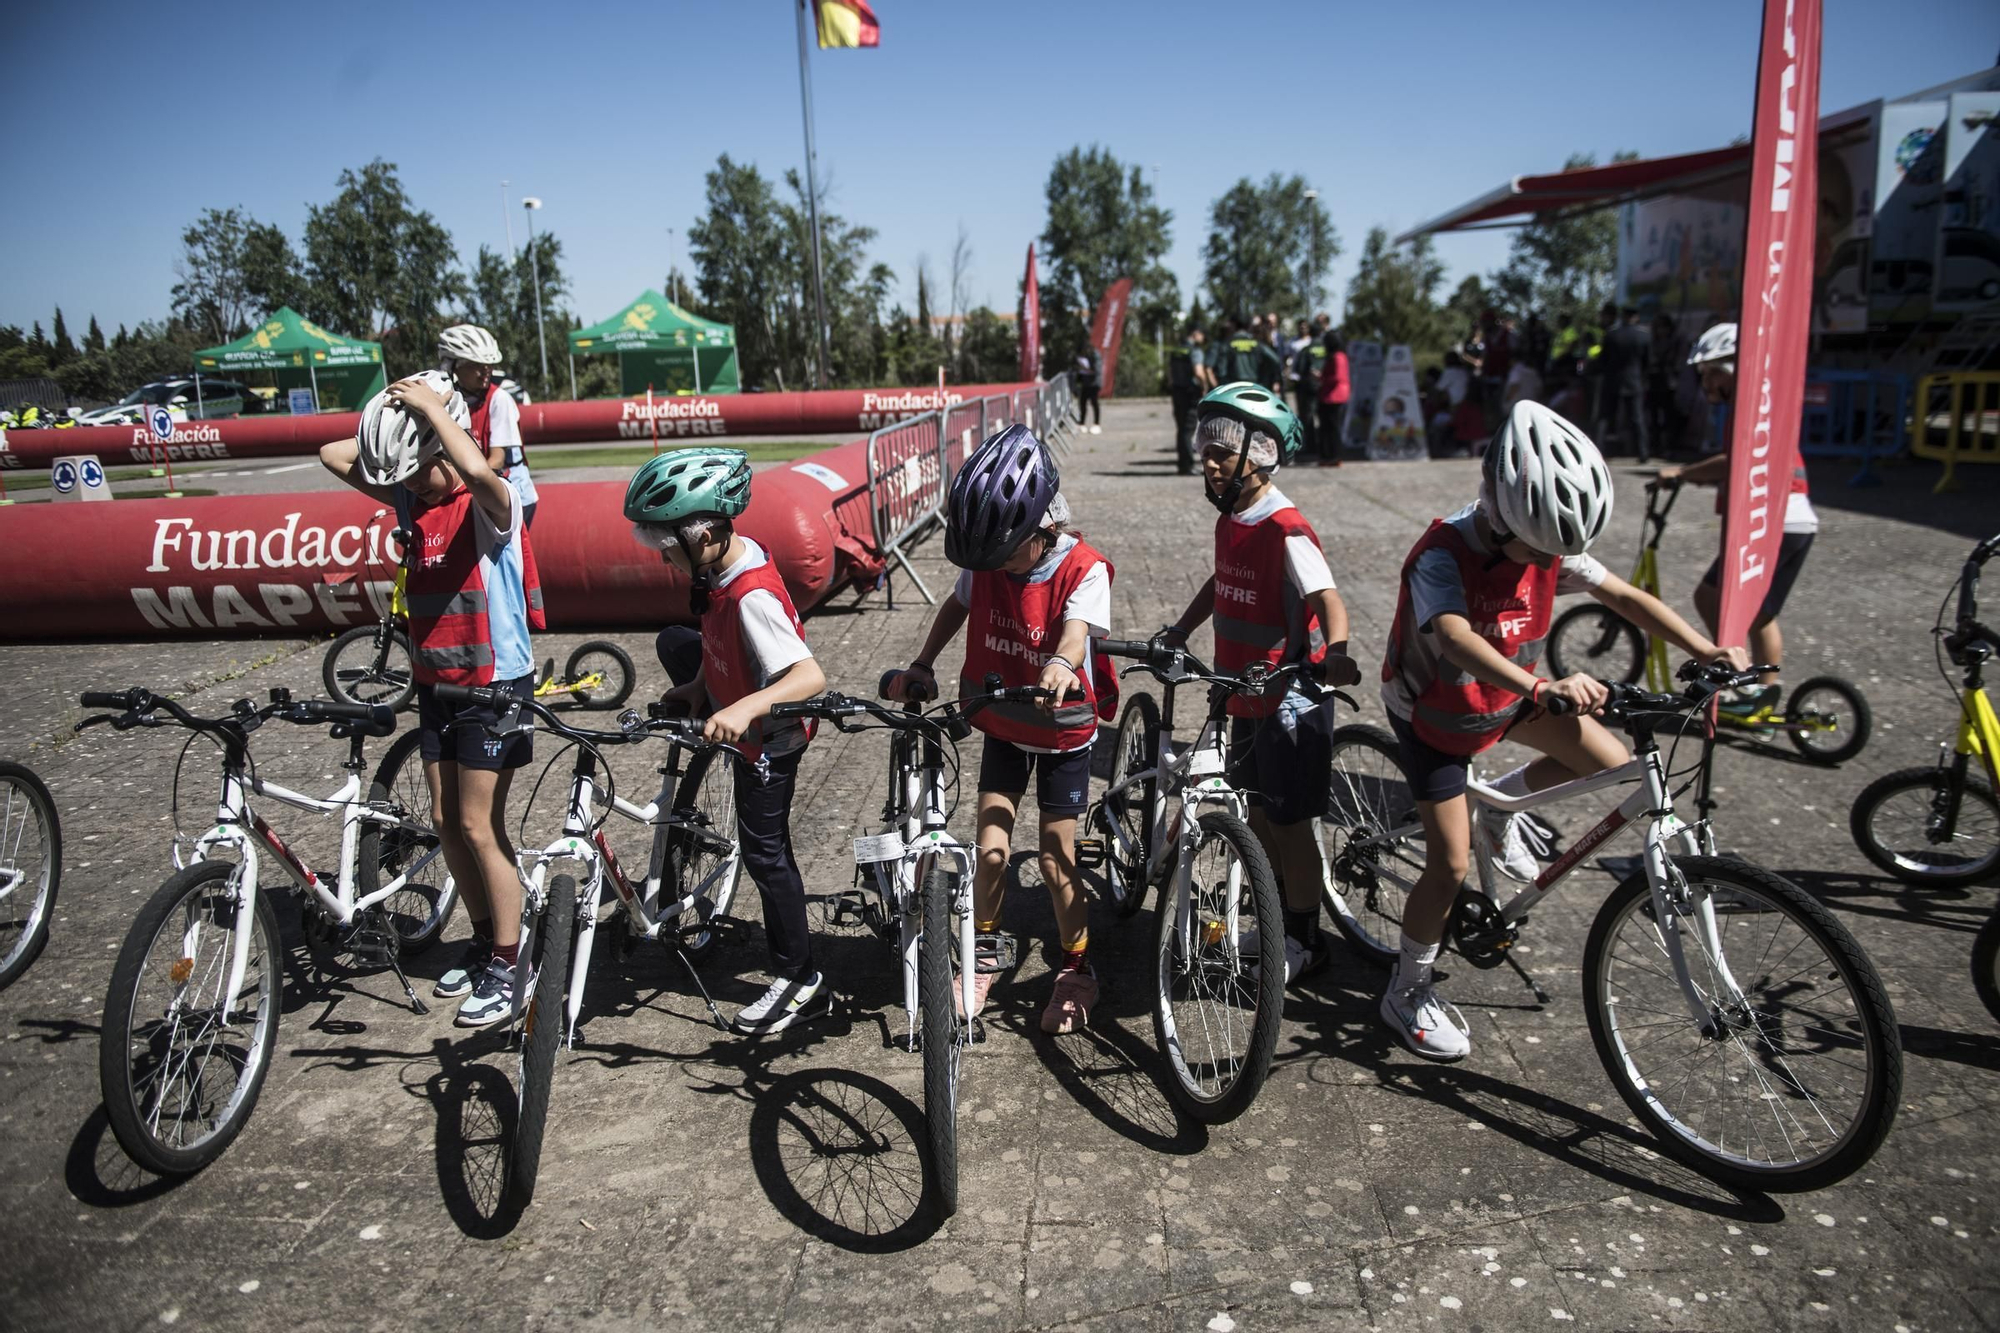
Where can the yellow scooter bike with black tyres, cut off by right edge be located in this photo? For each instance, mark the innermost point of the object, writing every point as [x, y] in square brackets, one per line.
[1941, 824]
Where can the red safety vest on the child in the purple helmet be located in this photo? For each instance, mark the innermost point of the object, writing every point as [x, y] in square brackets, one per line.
[1011, 629]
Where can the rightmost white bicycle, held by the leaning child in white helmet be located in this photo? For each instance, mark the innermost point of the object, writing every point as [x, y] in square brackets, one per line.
[1709, 1024]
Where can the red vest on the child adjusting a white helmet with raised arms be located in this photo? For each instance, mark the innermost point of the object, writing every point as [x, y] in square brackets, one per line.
[451, 637]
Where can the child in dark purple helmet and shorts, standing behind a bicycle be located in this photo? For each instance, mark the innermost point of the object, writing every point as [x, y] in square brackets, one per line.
[1035, 595]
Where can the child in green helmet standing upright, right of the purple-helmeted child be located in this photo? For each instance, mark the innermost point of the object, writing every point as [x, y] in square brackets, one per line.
[1273, 599]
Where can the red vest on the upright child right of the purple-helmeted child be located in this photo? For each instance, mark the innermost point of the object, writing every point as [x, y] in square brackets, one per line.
[1259, 617]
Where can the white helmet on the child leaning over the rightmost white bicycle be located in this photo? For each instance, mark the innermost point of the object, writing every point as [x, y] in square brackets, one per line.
[1547, 483]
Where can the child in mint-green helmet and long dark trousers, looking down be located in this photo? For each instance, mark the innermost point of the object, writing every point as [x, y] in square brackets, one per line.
[753, 655]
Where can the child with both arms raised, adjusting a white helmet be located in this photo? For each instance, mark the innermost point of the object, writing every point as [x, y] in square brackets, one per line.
[473, 597]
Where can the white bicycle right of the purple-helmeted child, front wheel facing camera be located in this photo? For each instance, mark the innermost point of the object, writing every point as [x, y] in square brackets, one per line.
[1213, 874]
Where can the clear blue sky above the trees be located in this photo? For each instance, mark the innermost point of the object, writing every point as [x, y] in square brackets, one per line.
[129, 121]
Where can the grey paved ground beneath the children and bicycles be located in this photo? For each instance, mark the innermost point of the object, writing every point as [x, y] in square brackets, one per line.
[1365, 1190]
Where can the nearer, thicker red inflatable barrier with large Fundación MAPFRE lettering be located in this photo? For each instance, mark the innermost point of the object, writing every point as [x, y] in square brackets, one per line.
[297, 563]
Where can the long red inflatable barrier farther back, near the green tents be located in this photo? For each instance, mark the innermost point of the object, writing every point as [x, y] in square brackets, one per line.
[843, 411]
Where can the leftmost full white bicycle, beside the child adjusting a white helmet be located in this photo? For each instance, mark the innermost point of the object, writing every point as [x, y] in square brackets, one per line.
[195, 998]
